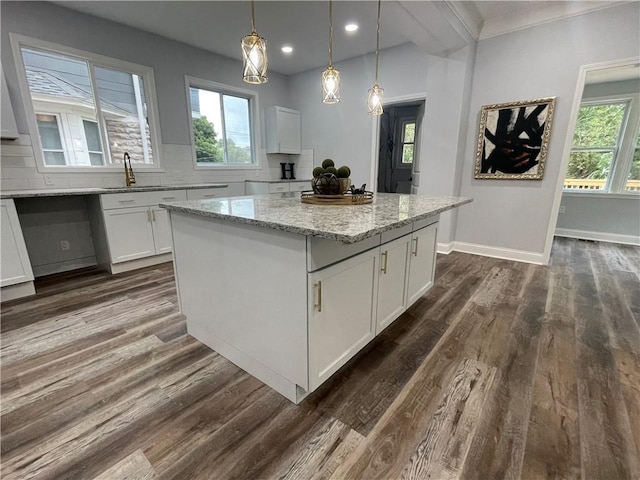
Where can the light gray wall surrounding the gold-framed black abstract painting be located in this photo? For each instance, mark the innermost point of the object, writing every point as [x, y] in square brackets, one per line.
[536, 62]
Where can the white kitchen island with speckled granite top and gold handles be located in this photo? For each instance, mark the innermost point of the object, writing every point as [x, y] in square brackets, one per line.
[290, 292]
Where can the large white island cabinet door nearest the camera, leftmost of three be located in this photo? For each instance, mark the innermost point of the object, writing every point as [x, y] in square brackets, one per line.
[341, 309]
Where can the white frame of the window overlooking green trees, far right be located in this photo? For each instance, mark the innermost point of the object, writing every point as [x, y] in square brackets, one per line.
[623, 151]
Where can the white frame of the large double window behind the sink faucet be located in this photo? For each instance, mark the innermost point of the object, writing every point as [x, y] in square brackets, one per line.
[19, 41]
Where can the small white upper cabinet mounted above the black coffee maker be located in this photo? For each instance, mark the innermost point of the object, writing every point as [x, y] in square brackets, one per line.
[282, 130]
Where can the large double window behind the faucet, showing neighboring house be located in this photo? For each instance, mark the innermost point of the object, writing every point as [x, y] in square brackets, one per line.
[90, 109]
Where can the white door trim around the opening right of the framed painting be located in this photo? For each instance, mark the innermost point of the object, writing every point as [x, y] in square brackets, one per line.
[571, 126]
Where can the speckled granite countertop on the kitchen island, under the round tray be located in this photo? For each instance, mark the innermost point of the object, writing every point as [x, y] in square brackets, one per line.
[348, 224]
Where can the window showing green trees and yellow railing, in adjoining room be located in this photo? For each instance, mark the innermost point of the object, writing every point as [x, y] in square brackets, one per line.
[604, 154]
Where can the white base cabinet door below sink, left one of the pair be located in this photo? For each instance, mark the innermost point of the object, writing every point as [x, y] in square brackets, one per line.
[129, 233]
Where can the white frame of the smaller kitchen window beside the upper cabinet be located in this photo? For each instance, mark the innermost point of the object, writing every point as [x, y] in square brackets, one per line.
[254, 121]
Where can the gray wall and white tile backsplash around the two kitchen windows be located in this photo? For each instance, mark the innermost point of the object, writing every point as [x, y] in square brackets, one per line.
[170, 61]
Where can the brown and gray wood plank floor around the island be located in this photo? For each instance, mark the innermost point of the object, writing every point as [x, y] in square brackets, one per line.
[503, 370]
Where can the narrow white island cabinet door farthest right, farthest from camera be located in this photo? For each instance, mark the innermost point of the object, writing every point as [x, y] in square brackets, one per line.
[422, 262]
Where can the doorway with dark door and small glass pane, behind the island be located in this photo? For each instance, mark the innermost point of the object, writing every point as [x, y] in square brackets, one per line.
[399, 146]
